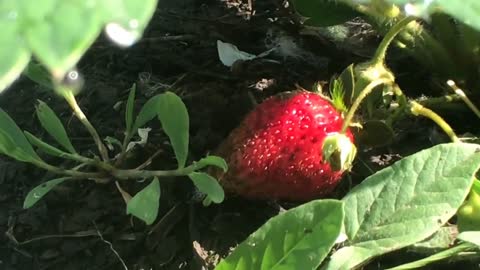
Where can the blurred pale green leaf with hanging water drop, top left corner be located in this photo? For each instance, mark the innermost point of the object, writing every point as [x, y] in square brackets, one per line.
[58, 32]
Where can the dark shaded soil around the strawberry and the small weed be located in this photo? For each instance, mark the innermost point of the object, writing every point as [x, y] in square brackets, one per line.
[84, 226]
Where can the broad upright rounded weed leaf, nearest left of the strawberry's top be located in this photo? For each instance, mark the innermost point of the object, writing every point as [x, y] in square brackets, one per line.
[173, 115]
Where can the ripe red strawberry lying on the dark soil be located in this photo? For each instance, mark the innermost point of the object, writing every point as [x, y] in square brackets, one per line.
[277, 151]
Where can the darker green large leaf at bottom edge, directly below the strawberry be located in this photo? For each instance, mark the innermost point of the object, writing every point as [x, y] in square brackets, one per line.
[299, 238]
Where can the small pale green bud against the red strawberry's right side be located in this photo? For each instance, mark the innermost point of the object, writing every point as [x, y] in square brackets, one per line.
[339, 151]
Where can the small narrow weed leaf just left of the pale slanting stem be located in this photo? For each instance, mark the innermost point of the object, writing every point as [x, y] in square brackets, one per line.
[52, 124]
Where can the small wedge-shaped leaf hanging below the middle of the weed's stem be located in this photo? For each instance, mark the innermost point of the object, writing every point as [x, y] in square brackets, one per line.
[144, 205]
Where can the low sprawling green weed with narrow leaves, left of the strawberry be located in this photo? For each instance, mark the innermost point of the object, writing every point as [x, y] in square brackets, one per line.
[173, 115]
